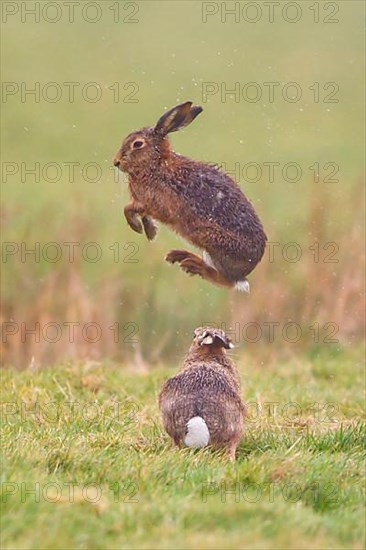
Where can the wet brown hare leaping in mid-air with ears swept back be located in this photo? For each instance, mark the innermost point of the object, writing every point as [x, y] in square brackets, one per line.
[196, 199]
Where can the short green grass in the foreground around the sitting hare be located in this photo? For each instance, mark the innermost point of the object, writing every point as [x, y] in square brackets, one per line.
[298, 481]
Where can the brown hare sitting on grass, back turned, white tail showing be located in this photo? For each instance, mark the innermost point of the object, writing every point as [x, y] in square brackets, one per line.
[201, 405]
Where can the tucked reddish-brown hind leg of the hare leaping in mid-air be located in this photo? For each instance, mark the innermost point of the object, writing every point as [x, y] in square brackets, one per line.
[194, 265]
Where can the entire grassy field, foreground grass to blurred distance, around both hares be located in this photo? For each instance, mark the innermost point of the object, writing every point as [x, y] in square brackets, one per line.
[92, 467]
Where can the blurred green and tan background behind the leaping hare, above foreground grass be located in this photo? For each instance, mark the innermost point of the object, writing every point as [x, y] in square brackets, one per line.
[168, 54]
